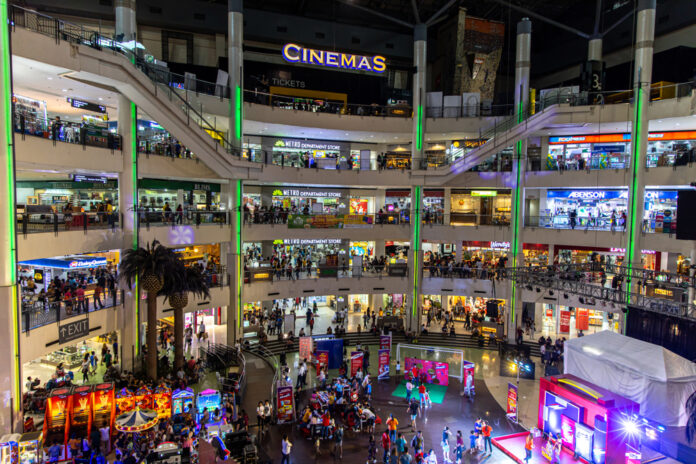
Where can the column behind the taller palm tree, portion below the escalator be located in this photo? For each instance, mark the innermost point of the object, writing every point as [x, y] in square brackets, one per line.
[129, 319]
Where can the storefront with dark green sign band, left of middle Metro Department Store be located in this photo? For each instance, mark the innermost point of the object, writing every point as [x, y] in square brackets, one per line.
[154, 194]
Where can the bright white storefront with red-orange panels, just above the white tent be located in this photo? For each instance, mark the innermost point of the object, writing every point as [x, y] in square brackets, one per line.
[559, 321]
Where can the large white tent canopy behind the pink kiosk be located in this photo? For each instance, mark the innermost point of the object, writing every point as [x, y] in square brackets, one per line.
[659, 380]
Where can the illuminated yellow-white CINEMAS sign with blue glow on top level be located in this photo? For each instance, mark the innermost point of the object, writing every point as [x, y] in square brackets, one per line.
[294, 53]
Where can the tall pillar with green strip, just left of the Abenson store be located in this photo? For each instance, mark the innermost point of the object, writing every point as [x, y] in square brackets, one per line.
[522, 65]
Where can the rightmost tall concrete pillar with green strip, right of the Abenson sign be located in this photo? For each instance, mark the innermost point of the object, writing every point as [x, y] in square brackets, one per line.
[645, 35]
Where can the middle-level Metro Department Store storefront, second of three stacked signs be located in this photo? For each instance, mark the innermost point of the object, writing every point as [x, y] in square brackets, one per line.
[311, 201]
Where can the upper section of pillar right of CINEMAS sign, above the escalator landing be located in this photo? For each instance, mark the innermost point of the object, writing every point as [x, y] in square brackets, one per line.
[420, 36]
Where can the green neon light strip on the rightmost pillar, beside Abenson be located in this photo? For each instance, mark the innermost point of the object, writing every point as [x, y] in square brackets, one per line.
[638, 110]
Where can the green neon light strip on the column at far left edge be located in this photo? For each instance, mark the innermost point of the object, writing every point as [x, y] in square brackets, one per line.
[11, 232]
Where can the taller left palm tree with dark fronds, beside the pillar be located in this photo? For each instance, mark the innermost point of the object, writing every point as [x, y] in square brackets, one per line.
[151, 266]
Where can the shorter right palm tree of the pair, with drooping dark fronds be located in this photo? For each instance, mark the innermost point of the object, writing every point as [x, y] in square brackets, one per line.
[184, 280]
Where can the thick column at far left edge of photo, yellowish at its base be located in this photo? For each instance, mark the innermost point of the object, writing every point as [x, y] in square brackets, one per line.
[10, 389]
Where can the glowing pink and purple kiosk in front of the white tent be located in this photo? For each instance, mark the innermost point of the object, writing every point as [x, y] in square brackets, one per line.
[586, 418]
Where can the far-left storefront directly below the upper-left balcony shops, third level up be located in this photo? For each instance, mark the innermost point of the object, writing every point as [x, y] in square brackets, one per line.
[82, 193]
